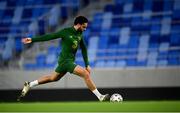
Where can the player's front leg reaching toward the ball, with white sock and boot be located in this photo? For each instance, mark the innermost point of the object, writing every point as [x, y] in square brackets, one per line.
[80, 71]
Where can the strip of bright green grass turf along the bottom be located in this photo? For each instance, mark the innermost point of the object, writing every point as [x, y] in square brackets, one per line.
[126, 106]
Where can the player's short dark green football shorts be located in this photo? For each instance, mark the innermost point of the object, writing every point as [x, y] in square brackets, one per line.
[65, 66]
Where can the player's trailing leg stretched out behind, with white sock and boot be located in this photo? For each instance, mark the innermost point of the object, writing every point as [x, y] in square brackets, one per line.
[44, 79]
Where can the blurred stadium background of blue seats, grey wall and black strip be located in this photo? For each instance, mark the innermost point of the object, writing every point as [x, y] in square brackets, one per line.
[133, 46]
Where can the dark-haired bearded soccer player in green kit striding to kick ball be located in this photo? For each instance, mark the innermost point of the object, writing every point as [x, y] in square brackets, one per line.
[71, 39]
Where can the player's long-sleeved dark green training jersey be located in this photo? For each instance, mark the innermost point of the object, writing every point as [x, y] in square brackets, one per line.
[71, 40]
